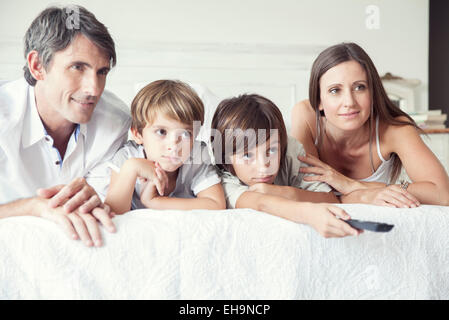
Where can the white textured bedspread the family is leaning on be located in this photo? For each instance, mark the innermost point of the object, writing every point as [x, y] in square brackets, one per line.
[238, 254]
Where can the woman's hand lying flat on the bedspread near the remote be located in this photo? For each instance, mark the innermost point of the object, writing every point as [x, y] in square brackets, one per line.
[390, 196]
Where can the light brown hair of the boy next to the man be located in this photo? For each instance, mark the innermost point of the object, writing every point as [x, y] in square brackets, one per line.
[174, 99]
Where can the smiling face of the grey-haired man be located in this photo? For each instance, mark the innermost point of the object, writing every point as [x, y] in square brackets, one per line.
[74, 81]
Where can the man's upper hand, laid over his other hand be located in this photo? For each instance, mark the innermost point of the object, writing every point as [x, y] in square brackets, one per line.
[77, 195]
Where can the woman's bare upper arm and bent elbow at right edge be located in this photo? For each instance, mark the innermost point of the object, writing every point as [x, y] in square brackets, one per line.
[430, 182]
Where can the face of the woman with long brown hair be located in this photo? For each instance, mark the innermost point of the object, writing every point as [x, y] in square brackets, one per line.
[345, 96]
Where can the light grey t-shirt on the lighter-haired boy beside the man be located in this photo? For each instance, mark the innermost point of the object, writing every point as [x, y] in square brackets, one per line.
[194, 176]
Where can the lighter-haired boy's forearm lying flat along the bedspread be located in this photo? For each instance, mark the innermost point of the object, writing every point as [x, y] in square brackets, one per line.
[211, 198]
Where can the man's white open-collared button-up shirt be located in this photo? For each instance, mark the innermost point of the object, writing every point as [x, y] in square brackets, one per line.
[29, 161]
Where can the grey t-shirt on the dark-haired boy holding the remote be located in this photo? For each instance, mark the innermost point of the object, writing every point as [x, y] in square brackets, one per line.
[288, 175]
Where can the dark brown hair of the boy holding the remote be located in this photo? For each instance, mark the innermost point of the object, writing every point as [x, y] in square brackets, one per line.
[239, 114]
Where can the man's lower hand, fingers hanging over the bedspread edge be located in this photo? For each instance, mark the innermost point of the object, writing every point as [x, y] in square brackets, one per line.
[77, 225]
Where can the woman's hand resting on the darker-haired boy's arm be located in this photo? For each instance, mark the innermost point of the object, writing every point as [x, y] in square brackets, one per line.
[325, 173]
